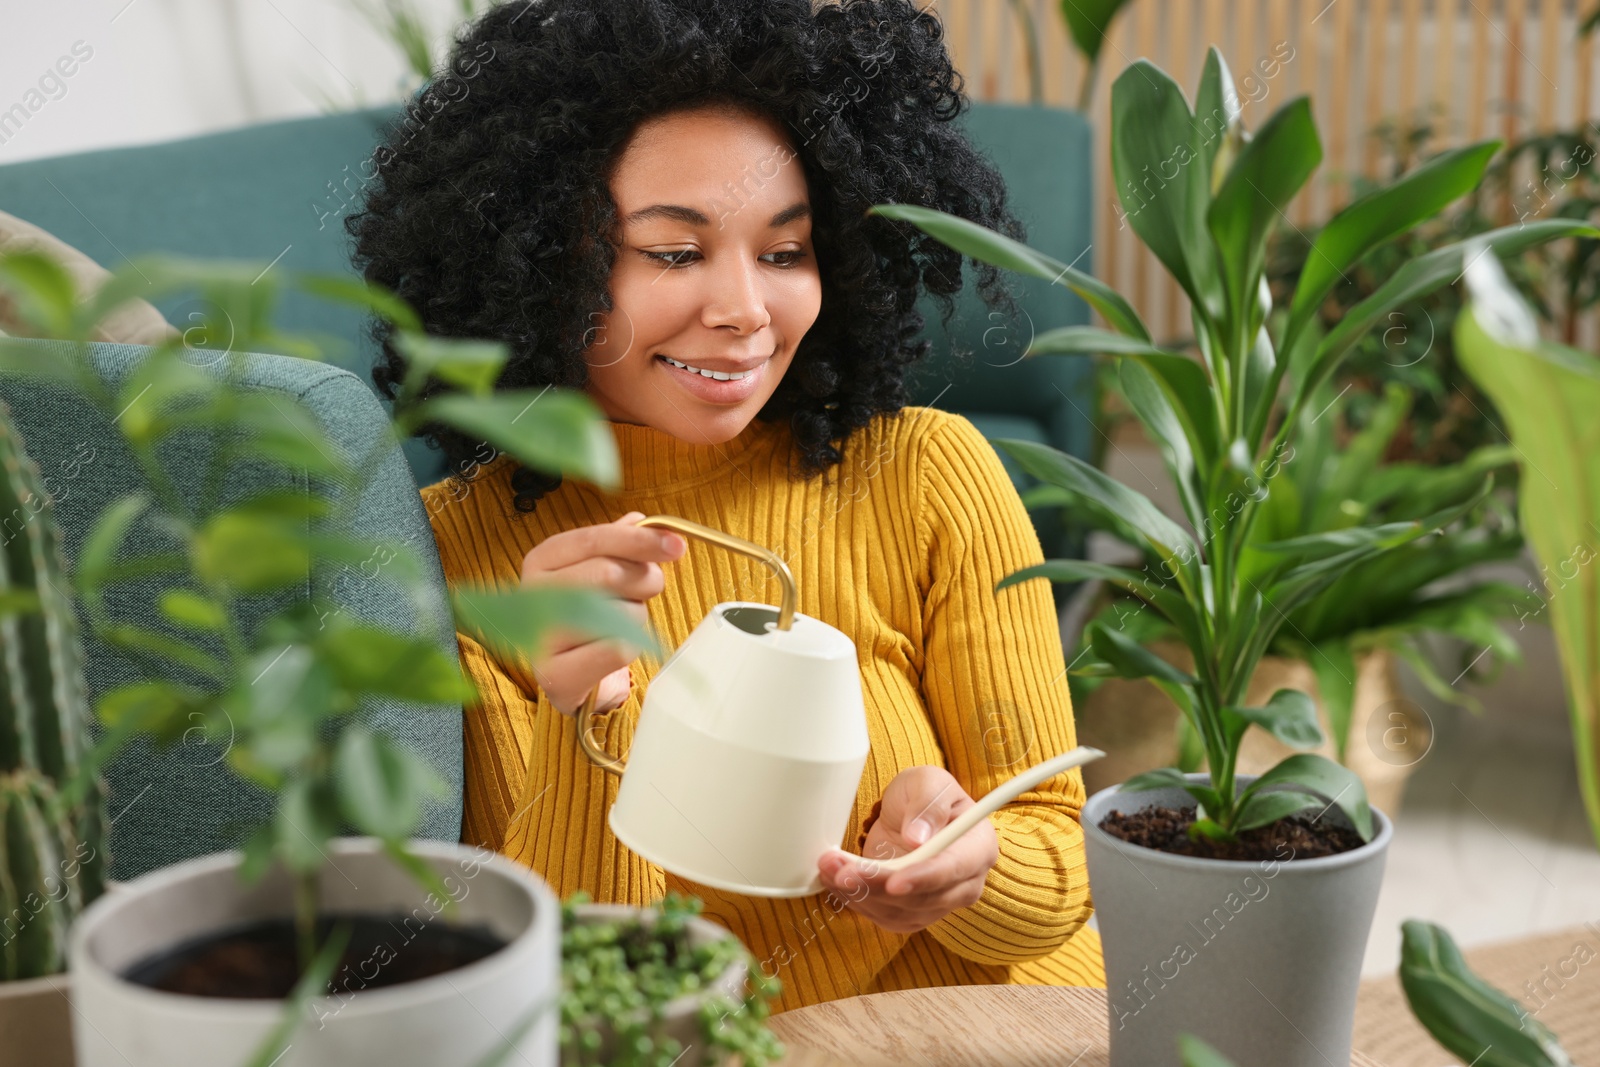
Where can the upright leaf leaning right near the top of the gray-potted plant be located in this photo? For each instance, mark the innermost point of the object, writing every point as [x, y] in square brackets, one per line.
[1262, 183]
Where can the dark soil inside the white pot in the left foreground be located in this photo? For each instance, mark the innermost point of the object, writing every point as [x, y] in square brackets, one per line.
[258, 961]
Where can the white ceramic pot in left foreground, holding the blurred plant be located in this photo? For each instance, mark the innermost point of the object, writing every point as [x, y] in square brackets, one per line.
[450, 1020]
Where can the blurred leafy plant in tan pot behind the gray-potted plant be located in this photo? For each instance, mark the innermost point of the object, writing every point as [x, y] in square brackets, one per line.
[1342, 645]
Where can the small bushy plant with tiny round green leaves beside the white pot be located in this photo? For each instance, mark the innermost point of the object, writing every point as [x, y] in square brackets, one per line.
[652, 988]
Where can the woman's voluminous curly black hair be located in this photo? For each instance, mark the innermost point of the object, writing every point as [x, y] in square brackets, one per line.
[490, 210]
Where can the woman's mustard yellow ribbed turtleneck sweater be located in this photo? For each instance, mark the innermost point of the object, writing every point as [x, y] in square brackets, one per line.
[900, 548]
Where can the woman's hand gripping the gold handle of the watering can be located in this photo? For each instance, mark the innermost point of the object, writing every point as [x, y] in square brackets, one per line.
[622, 559]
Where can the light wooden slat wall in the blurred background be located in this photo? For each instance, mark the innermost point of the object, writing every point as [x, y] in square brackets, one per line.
[1479, 68]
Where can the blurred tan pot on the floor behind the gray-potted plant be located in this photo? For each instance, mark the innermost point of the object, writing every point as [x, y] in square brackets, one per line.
[1138, 727]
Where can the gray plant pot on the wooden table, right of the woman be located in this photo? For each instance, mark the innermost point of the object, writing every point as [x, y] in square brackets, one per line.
[1260, 959]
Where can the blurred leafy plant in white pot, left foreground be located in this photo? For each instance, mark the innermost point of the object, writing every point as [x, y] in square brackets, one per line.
[337, 948]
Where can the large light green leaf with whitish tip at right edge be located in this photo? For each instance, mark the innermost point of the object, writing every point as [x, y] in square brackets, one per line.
[1550, 398]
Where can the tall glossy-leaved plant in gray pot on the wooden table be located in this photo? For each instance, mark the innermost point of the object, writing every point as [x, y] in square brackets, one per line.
[1231, 906]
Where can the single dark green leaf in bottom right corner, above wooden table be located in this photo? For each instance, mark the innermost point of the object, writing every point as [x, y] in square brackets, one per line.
[1466, 1015]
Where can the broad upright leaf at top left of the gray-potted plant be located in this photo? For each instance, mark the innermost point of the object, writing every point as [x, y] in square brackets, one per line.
[1159, 167]
